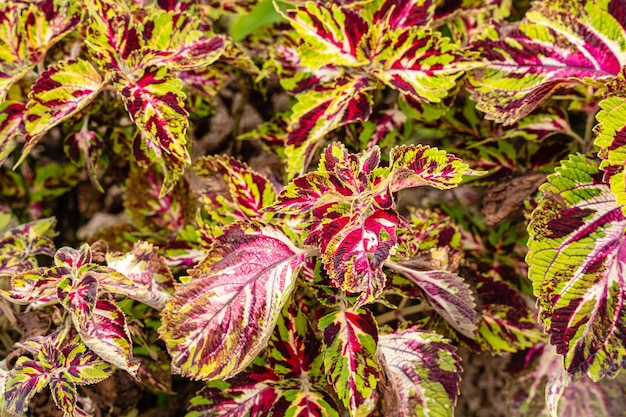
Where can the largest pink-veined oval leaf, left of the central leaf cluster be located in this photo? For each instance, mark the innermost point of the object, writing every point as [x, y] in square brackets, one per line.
[220, 320]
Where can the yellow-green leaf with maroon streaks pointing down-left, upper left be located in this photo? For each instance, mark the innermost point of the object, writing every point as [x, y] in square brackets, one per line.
[60, 92]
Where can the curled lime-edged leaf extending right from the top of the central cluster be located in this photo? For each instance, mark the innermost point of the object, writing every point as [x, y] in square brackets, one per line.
[417, 165]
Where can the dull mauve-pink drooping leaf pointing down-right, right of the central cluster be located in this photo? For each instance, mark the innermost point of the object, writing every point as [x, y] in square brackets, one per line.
[448, 294]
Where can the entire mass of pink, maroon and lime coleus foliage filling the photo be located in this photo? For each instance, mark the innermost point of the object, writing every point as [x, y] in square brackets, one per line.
[324, 296]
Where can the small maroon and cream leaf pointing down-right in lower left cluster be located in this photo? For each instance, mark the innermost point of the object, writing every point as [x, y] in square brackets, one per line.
[106, 333]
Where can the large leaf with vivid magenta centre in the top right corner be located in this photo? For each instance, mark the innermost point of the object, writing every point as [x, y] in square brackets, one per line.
[558, 44]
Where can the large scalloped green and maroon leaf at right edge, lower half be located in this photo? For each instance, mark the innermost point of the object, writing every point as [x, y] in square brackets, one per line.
[576, 261]
